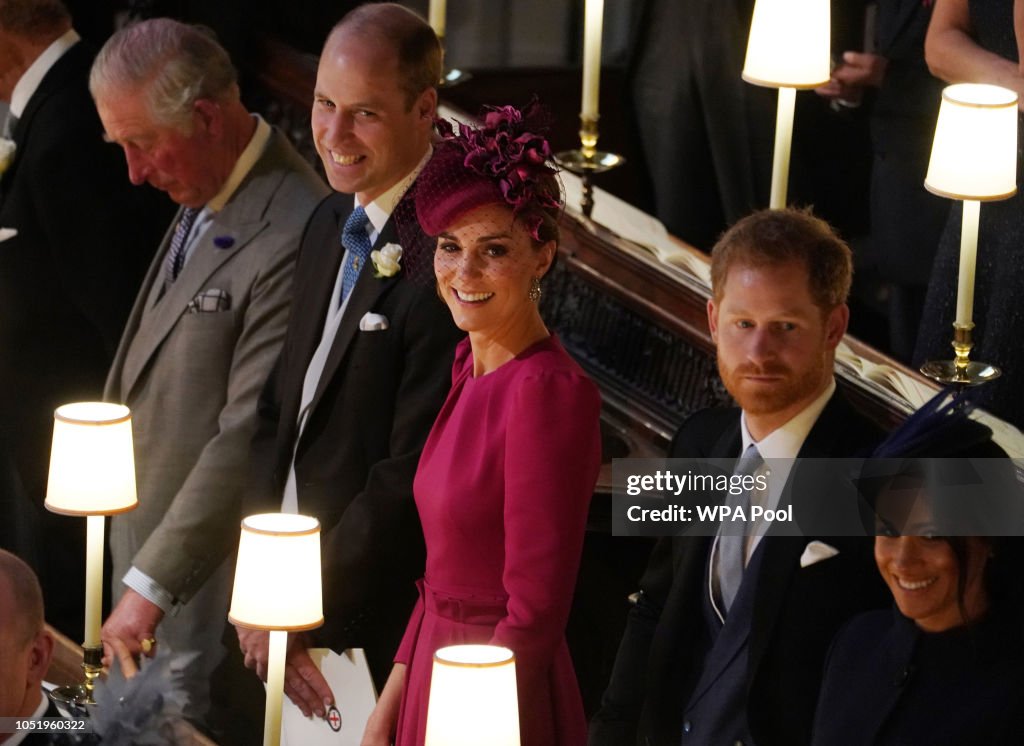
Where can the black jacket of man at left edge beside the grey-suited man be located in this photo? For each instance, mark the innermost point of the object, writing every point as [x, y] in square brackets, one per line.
[86, 237]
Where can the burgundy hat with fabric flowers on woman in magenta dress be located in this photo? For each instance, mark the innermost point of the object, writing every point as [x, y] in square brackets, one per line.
[505, 161]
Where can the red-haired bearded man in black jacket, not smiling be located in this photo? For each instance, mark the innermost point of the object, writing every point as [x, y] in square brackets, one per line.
[701, 666]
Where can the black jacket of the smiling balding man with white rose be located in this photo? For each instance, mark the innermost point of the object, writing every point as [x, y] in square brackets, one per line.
[377, 400]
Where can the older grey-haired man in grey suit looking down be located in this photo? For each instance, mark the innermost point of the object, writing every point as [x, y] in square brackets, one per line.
[205, 331]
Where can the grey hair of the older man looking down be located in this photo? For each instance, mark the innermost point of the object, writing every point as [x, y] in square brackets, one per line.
[173, 64]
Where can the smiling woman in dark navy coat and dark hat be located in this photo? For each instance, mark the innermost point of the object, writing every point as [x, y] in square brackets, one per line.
[946, 667]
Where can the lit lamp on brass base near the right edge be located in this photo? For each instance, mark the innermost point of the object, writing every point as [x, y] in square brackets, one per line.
[974, 159]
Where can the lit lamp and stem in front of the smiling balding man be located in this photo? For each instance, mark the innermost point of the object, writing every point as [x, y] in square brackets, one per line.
[278, 588]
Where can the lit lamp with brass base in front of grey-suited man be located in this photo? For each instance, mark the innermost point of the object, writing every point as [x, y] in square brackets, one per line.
[93, 474]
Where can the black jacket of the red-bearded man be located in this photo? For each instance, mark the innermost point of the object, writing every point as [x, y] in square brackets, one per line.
[796, 610]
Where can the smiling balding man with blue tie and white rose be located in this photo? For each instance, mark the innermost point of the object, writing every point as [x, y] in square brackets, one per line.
[368, 357]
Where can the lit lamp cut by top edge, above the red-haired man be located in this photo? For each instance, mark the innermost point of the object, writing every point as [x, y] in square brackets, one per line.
[788, 50]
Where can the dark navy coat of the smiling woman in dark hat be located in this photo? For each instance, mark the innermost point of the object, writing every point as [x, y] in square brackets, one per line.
[887, 683]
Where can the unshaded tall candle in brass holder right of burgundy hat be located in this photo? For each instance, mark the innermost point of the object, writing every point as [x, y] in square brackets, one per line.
[587, 160]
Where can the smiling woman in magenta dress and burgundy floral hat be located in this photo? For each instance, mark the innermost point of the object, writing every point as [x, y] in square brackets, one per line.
[507, 473]
